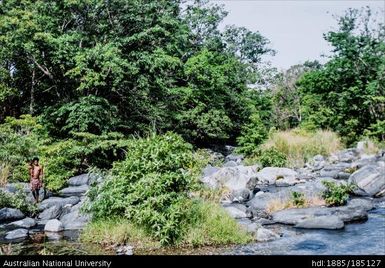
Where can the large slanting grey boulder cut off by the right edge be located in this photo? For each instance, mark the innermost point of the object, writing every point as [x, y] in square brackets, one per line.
[370, 180]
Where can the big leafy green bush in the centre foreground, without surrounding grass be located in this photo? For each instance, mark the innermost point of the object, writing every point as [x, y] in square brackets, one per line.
[149, 187]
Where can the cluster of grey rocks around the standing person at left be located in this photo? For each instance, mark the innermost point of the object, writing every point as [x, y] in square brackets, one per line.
[56, 213]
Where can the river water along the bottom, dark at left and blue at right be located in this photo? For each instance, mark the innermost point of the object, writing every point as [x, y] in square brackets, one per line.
[365, 238]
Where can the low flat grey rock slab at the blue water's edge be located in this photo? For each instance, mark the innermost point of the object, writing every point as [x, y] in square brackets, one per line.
[322, 222]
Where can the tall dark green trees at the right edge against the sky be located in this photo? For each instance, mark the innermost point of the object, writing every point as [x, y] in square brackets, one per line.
[347, 93]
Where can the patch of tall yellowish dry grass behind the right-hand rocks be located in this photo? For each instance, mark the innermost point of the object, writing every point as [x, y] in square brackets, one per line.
[300, 146]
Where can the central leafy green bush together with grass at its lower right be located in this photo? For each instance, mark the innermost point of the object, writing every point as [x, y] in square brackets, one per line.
[151, 189]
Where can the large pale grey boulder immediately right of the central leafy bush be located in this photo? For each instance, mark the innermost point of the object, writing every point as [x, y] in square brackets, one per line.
[233, 178]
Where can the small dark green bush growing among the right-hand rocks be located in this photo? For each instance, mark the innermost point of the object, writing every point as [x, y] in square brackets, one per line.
[337, 194]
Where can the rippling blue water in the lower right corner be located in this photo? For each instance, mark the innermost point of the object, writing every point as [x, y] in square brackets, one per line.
[367, 238]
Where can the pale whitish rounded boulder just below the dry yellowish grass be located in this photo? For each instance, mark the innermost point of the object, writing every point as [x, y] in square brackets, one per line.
[270, 175]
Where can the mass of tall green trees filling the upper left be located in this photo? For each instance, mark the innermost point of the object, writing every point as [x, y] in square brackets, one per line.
[79, 65]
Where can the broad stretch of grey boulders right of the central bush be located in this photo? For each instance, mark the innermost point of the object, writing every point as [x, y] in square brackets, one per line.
[257, 196]
